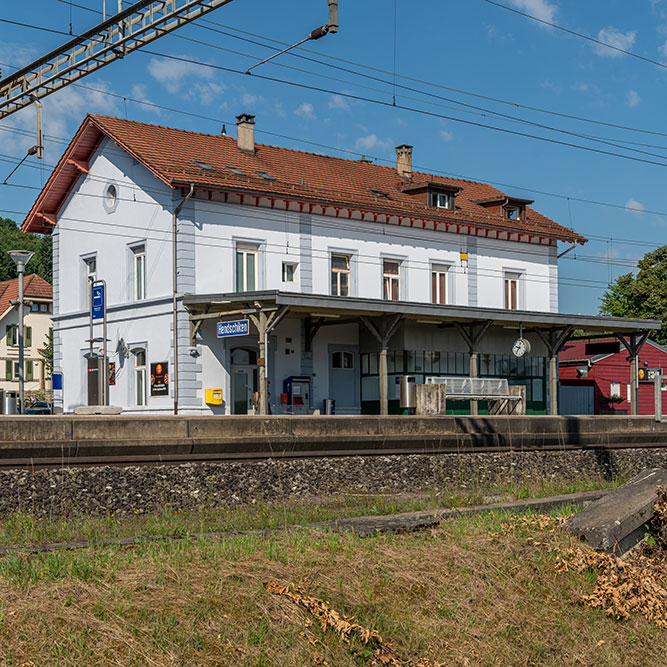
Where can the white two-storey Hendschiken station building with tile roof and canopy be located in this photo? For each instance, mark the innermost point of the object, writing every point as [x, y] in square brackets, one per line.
[350, 274]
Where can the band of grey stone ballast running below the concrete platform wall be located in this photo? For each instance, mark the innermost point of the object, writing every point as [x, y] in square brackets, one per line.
[125, 491]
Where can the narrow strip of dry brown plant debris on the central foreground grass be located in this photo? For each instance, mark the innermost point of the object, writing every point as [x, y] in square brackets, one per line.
[380, 652]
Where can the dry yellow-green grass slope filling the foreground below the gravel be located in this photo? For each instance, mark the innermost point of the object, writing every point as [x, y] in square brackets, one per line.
[467, 593]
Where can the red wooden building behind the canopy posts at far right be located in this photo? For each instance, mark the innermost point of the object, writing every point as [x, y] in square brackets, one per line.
[591, 372]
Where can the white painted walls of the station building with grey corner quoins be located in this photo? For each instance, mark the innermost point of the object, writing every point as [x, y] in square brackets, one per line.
[105, 235]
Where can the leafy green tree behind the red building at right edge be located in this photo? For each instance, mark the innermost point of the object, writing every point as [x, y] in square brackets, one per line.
[643, 295]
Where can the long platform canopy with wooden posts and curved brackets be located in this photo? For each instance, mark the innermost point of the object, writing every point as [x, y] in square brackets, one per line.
[266, 308]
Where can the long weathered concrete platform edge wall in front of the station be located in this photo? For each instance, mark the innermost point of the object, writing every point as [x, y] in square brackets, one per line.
[82, 436]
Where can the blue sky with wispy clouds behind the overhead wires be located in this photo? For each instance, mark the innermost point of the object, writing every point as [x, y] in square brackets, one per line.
[469, 45]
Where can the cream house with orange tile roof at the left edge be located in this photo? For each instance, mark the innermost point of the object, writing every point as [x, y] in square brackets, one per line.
[37, 322]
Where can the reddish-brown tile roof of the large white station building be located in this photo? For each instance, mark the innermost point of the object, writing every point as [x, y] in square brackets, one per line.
[170, 154]
